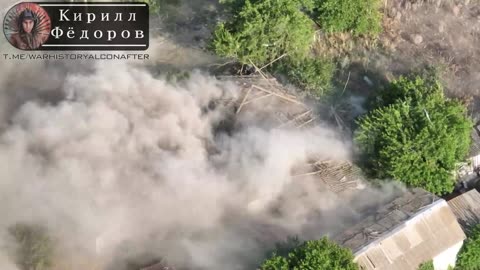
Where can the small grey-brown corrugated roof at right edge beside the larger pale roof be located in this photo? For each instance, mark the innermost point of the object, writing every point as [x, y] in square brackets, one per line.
[466, 208]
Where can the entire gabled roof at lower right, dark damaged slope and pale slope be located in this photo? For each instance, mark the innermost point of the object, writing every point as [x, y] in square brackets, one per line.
[408, 231]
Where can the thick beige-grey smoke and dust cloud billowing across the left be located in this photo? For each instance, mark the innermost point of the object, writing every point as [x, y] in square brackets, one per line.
[119, 164]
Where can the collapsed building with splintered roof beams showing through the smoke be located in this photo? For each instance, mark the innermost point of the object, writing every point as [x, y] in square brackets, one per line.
[283, 109]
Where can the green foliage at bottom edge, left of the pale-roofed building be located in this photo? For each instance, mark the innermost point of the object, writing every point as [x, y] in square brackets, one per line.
[319, 254]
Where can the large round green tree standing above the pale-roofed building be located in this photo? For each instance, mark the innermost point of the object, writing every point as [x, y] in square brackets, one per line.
[417, 136]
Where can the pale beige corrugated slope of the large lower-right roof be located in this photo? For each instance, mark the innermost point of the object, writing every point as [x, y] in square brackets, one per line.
[428, 233]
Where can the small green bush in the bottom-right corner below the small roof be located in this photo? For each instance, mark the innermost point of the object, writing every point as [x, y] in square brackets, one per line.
[468, 258]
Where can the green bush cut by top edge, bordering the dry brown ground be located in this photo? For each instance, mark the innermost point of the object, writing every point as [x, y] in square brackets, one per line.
[358, 16]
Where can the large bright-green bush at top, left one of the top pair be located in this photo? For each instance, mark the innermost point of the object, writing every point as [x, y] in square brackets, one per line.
[263, 30]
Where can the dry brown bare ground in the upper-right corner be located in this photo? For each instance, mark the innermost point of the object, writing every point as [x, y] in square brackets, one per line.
[442, 33]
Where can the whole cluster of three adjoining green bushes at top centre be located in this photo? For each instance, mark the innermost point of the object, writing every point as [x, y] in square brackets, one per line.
[261, 31]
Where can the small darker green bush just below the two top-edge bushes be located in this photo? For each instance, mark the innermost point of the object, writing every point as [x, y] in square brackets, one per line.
[312, 75]
